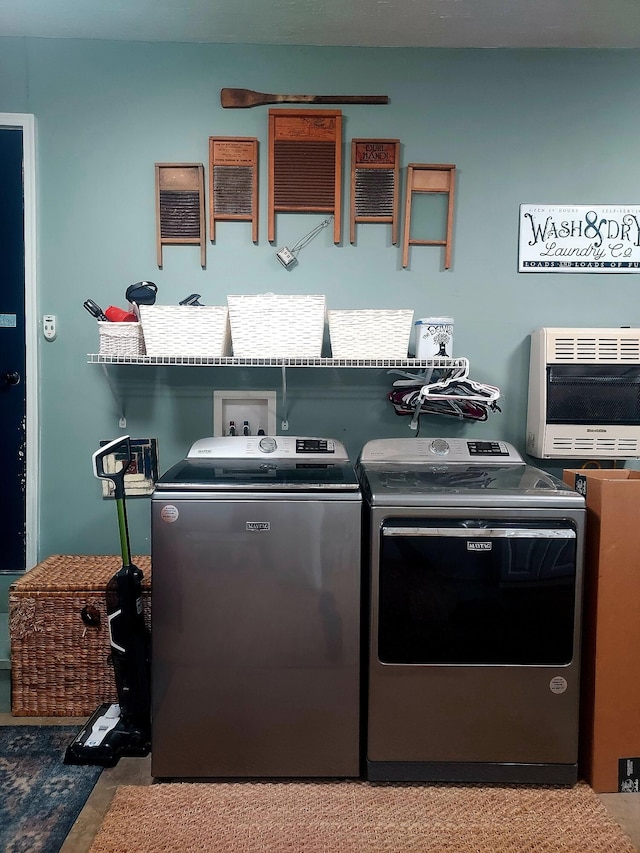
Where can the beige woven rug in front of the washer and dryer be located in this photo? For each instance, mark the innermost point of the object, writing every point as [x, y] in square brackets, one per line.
[353, 817]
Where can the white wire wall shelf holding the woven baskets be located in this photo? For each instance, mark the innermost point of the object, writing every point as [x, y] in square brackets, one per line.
[230, 361]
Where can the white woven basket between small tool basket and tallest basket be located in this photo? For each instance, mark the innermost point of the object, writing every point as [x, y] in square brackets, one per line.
[186, 330]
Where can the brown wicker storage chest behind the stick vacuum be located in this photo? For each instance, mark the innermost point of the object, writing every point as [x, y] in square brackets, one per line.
[59, 666]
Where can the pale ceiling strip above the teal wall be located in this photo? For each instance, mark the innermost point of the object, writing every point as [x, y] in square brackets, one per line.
[392, 23]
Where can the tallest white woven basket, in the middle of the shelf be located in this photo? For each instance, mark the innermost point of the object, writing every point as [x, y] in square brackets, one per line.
[275, 326]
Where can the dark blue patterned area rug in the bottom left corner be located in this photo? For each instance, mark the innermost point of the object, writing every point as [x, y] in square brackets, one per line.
[40, 797]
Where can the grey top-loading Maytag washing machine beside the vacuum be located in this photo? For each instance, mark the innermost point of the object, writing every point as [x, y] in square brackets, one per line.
[256, 555]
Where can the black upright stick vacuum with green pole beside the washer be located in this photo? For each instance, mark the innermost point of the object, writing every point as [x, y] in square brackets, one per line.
[124, 728]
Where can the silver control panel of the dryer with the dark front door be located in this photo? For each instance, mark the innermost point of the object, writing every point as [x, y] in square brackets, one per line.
[417, 450]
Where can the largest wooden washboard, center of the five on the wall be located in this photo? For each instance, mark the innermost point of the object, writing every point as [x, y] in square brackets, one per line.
[305, 164]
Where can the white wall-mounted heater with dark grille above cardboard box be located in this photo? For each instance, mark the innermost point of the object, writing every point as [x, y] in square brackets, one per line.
[584, 394]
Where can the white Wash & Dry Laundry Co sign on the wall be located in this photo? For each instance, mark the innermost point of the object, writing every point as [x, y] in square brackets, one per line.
[579, 238]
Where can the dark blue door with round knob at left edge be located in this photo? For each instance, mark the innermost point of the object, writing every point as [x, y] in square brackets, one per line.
[13, 459]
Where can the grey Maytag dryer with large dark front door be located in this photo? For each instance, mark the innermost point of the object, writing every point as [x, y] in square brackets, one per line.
[475, 587]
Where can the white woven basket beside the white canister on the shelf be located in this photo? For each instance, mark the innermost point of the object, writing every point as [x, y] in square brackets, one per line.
[370, 333]
